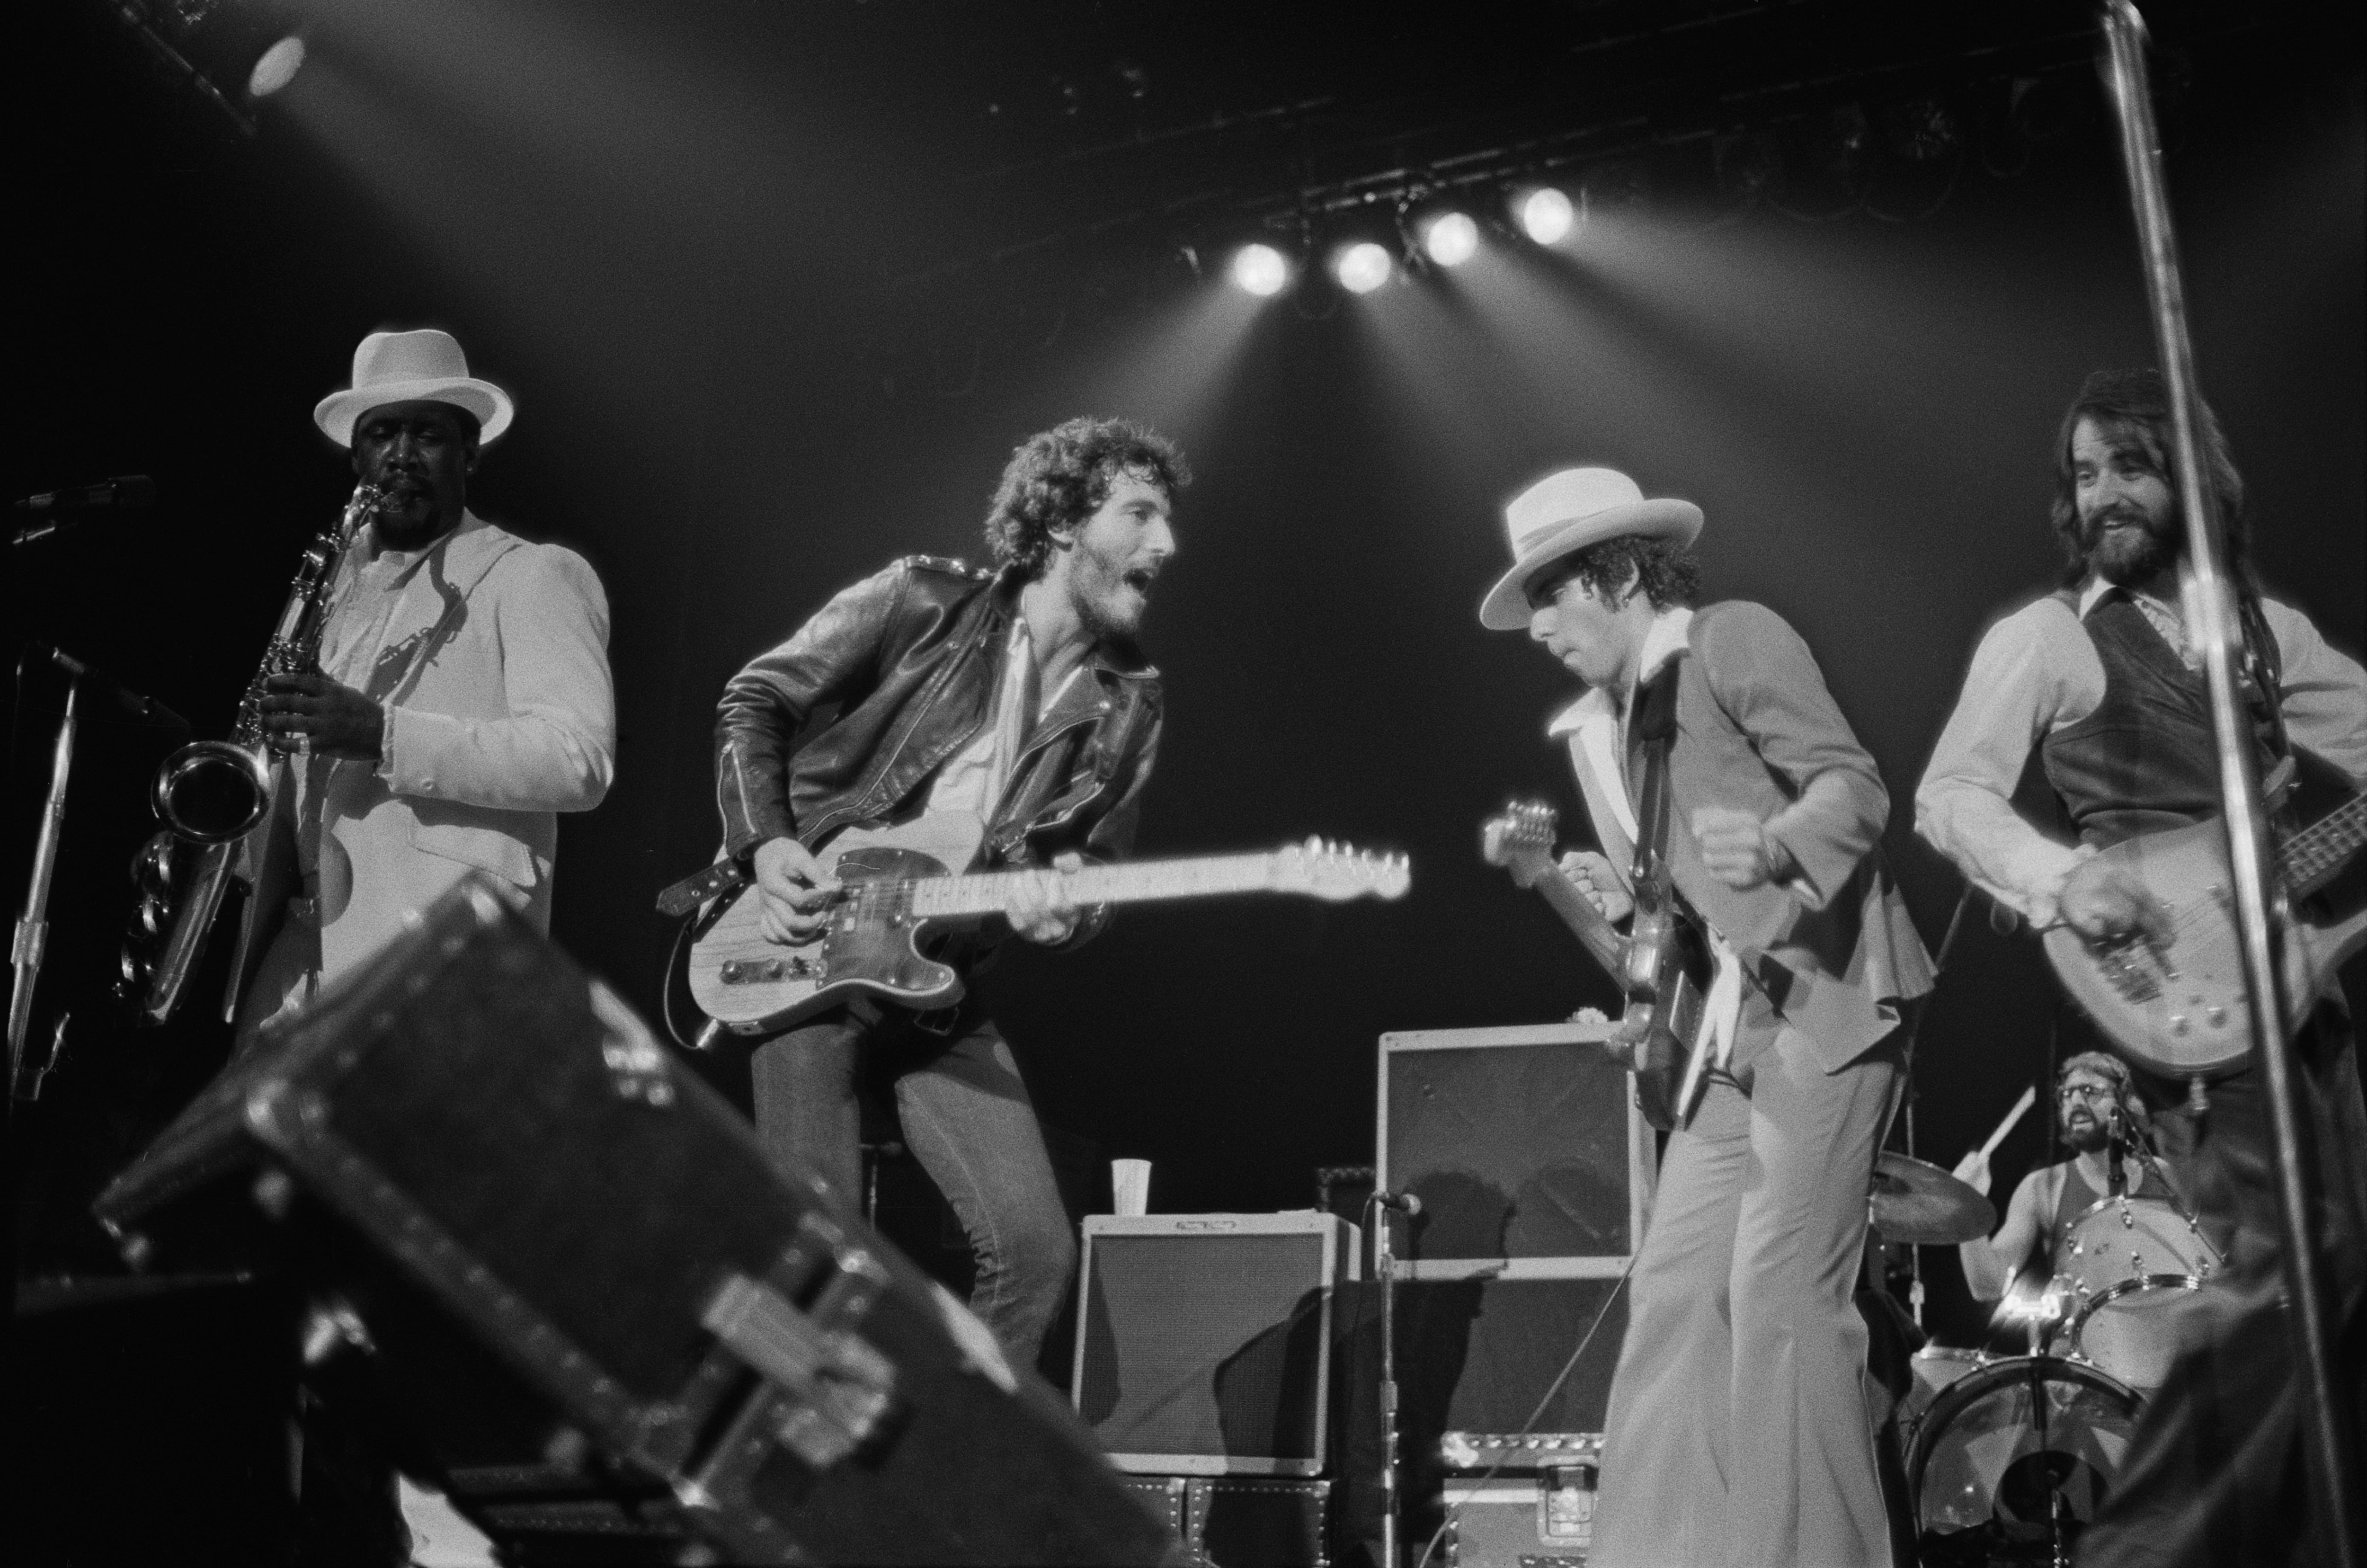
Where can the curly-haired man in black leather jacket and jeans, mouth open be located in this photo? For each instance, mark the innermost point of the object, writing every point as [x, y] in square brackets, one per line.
[1019, 698]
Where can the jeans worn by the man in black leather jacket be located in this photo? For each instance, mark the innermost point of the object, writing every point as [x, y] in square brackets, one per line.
[967, 1119]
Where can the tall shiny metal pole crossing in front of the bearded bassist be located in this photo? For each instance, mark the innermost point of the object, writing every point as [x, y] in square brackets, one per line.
[2247, 830]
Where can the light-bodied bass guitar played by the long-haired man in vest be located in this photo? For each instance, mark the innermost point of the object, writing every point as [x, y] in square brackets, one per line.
[2181, 1005]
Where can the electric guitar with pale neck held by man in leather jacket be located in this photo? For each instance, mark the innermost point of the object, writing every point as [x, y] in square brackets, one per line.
[903, 885]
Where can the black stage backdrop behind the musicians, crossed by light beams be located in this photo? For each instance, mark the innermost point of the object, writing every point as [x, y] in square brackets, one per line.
[740, 266]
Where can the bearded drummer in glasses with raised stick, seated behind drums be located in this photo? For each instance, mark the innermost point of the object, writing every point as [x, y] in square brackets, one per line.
[2101, 1114]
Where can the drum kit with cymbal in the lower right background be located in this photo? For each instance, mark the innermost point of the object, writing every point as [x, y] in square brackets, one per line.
[2008, 1458]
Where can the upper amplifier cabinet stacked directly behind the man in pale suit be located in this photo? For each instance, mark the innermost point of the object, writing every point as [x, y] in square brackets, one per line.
[1523, 1145]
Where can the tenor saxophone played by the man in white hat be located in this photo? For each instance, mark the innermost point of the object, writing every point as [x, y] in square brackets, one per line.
[214, 795]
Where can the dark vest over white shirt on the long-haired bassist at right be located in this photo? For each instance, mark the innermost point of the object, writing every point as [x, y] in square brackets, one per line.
[2143, 761]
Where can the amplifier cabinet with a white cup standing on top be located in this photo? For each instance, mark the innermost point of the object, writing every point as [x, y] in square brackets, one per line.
[1204, 1342]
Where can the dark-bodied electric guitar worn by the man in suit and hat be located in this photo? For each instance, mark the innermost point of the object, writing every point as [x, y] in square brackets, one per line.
[1663, 968]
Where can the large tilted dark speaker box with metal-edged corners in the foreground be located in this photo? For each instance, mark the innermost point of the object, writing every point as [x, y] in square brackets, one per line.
[560, 1280]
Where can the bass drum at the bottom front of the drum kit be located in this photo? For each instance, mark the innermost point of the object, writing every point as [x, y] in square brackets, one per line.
[2013, 1460]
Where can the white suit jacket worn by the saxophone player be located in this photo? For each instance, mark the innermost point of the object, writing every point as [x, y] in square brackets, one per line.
[501, 714]
